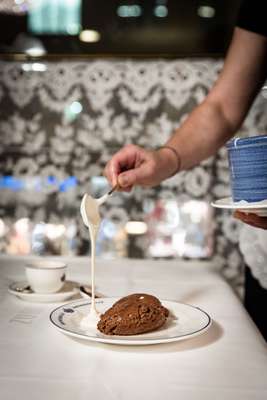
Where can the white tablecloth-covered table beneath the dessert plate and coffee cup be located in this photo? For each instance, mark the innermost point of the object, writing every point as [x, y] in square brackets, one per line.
[38, 362]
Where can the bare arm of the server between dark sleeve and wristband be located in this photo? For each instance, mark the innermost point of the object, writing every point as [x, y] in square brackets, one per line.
[221, 114]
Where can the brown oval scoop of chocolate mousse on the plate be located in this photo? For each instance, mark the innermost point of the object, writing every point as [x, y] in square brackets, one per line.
[132, 315]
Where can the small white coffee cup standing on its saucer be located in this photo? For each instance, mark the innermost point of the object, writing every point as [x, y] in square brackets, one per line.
[46, 276]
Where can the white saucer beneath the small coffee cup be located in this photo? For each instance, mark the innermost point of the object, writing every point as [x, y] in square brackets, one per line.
[69, 290]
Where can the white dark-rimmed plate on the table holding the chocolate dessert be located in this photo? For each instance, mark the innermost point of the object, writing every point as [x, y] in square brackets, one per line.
[185, 322]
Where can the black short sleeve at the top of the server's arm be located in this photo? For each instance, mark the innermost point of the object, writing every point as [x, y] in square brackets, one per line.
[252, 16]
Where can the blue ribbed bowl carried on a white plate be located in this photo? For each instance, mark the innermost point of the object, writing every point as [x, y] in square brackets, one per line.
[248, 168]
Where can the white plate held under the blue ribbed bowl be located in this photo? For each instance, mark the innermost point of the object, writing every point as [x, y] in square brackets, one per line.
[259, 207]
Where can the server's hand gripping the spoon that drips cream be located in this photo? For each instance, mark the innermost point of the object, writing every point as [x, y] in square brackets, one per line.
[133, 165]
